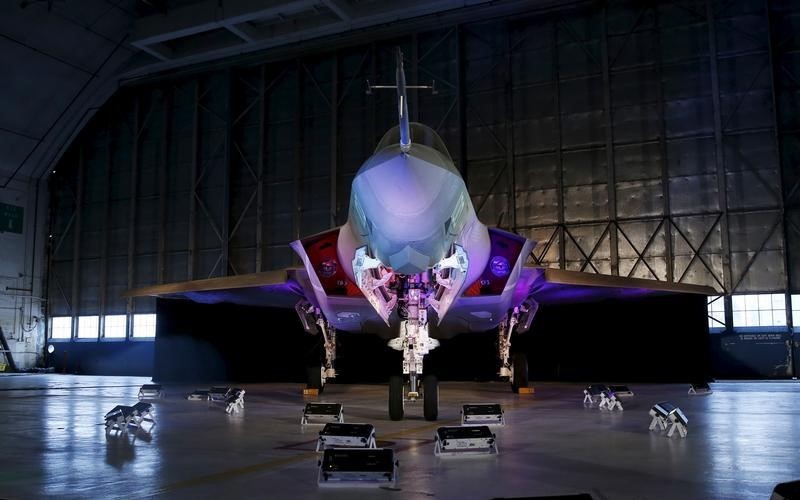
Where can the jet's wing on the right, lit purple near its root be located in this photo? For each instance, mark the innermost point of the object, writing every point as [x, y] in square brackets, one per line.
[559, 286]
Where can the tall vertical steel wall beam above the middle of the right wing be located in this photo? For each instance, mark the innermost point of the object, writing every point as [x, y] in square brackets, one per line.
[610, 167]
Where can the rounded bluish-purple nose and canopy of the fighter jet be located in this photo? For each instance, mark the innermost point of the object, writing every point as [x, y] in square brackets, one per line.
[409, 207]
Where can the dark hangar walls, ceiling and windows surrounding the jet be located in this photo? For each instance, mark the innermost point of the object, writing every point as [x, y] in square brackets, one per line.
[155, 142]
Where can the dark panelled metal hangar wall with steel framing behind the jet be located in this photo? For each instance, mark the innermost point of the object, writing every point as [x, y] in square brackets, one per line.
[657, 141]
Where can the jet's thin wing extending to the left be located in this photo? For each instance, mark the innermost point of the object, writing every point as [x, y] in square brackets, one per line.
[282, 288]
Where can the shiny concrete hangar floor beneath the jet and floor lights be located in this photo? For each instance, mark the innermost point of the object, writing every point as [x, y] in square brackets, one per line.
[743, 439]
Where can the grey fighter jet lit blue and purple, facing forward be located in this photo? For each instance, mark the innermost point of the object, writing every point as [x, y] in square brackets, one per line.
[413, 264]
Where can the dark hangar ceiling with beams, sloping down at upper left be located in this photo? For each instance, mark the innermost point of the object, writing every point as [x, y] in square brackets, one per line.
[65, 58]
